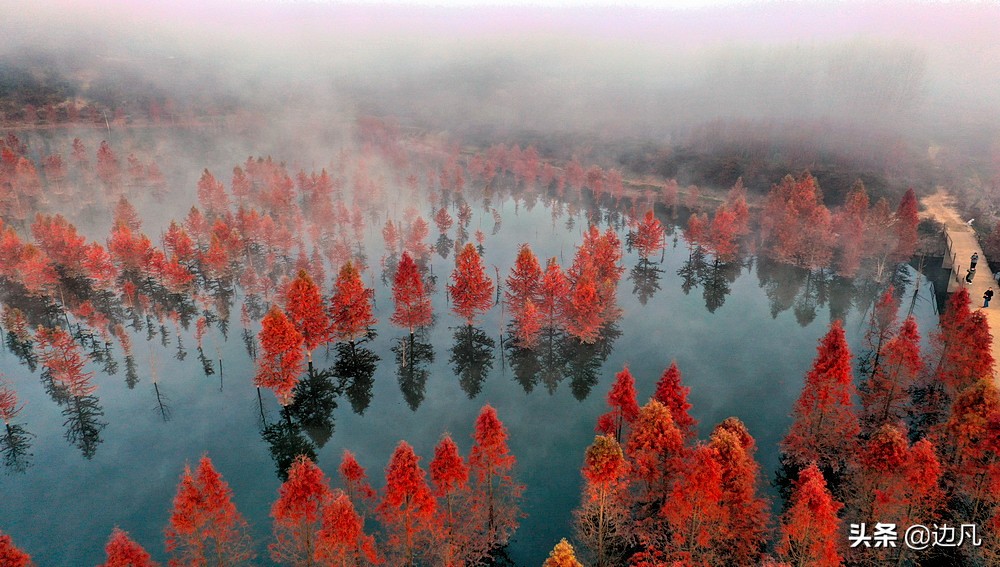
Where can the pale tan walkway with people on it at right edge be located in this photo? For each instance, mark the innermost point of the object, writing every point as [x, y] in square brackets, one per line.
[962, 243]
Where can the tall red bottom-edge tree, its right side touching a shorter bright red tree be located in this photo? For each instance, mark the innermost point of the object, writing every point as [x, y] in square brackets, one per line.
[298, 513]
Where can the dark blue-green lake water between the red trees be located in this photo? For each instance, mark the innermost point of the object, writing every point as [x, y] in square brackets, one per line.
[743, 335]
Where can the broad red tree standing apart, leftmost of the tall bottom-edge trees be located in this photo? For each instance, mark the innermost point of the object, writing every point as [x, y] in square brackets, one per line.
[205, 527]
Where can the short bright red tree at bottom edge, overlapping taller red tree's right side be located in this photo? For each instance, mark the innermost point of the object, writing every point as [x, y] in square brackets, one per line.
[342, 541]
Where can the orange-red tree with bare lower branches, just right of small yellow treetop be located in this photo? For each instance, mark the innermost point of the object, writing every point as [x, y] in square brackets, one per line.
[601, 521]
